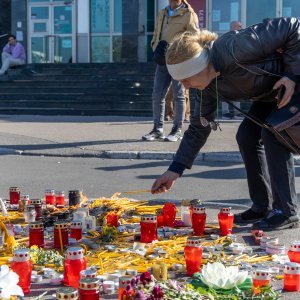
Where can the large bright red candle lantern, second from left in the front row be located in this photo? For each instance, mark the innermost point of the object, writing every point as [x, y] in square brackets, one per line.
[73, 265]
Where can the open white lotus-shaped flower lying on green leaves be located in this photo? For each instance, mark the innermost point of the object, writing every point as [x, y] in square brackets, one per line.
[217, 276]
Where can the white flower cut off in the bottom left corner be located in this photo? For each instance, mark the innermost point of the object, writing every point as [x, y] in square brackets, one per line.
[8, 283]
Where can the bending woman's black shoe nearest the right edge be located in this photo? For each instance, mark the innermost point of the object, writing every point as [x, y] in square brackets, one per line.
[277, 222]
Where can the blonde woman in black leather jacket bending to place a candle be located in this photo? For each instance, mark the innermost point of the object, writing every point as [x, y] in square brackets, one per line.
[223, 68]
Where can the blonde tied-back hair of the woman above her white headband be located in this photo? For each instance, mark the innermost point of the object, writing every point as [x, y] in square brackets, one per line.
[187, 45]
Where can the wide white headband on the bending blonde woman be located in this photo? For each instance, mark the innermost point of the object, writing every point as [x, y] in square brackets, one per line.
[189, 67]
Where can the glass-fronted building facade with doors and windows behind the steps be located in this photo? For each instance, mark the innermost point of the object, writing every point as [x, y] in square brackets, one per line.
[60, 31]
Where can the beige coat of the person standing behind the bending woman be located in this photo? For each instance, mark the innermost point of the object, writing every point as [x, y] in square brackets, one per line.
[185, 19]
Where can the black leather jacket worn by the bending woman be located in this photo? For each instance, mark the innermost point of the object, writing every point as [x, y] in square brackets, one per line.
[240, 56]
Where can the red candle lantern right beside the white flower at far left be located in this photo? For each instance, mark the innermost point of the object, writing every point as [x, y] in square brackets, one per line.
[22, 265]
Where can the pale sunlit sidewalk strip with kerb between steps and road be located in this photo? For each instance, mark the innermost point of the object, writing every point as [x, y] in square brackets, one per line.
[105, 137]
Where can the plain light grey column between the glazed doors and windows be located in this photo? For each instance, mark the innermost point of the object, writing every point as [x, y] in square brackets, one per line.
[83, 28]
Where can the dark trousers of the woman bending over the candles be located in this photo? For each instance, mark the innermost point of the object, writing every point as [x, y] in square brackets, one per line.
[269, 165]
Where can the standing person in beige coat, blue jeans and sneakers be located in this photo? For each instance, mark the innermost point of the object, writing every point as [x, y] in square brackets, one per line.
[174, 19]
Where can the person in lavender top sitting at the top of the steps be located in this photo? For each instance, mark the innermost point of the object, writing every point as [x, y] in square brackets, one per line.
[13, 54]
